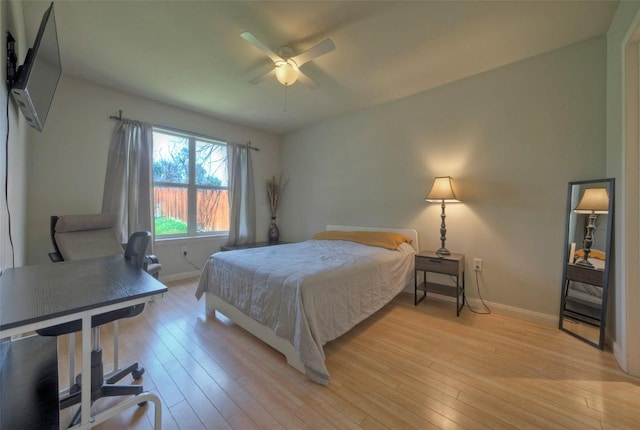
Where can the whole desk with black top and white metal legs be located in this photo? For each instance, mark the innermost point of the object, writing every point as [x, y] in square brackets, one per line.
[34, 297]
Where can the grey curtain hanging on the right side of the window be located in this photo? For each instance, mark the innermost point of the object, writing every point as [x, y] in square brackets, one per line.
[242, 198]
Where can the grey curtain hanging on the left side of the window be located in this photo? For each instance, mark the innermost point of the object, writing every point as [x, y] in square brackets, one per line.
[128, 182]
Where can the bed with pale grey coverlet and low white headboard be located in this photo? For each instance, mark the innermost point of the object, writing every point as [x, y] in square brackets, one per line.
[297, 297]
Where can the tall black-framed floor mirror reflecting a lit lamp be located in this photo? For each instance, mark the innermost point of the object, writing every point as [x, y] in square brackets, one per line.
[587, 260]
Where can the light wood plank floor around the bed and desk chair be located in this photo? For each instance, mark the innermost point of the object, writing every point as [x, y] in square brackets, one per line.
[404, 368]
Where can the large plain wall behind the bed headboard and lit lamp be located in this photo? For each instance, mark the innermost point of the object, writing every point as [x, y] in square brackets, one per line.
[511, 138]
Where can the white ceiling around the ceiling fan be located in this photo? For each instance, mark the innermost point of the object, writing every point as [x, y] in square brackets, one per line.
[190, 53]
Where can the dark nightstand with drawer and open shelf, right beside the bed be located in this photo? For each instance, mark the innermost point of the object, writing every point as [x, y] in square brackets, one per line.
[452, 265]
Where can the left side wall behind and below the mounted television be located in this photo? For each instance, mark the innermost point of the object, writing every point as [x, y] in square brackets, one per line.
[13, 209]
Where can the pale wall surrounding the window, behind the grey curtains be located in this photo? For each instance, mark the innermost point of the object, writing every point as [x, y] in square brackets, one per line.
[68, 162]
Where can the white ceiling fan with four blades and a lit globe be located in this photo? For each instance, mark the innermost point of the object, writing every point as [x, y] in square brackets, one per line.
[286, 65]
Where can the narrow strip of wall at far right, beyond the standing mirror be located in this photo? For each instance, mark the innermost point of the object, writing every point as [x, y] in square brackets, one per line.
[626, 287]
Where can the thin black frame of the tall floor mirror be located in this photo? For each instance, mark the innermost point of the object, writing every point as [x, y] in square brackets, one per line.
[610, 184]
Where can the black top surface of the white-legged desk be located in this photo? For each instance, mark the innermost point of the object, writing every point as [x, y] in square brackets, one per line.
[32, 294]
